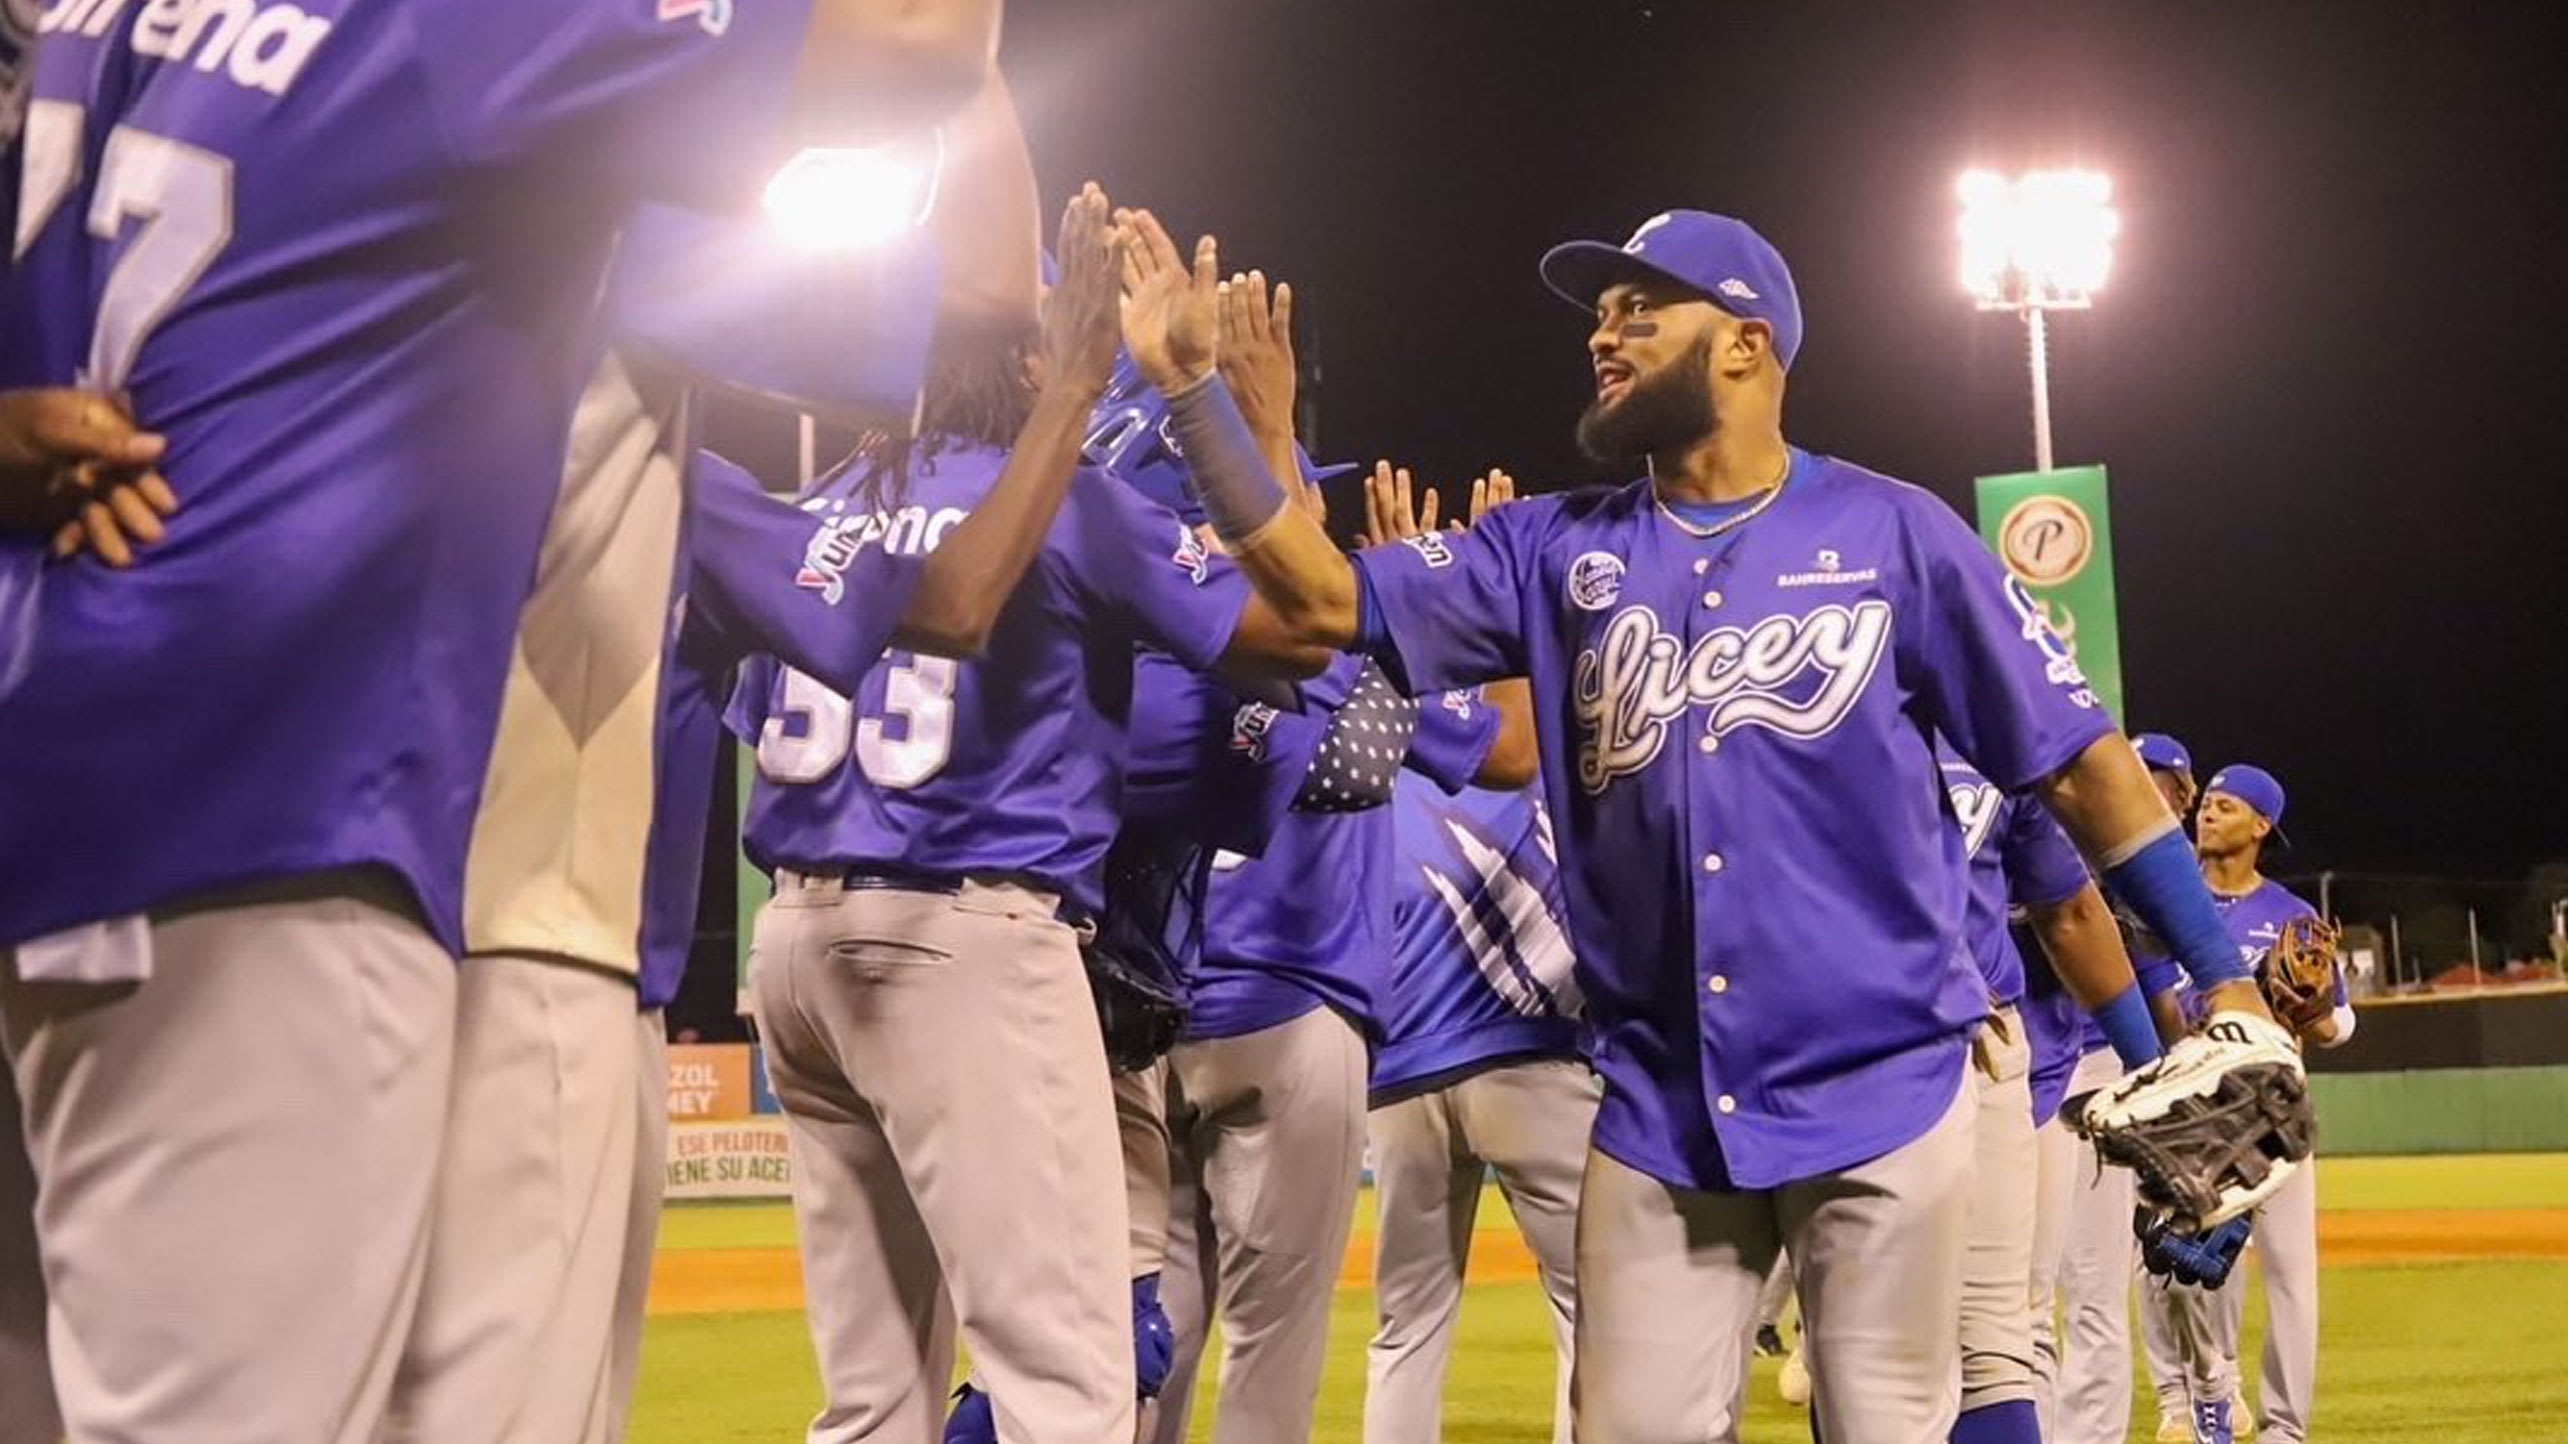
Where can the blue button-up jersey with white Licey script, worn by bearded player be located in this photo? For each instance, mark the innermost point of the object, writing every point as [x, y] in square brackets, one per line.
[1765, 885]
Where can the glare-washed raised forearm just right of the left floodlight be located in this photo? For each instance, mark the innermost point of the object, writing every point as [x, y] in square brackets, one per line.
[987, 222]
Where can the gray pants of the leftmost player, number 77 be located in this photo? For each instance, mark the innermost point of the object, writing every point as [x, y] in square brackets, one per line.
[240, 1163]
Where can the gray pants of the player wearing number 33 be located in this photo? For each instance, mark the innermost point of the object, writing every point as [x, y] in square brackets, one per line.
[954, 1158]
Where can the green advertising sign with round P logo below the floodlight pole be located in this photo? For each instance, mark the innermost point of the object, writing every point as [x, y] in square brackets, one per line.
[2056, 533]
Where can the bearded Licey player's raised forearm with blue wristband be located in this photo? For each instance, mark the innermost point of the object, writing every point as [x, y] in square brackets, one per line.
[1288, 556]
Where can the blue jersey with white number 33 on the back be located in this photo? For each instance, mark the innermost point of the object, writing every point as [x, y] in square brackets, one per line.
[998, 767]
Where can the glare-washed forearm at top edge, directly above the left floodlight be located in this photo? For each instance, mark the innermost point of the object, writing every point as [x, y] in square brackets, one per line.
[880, 68]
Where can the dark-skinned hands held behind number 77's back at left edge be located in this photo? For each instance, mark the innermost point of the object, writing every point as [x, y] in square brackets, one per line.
[76, 464]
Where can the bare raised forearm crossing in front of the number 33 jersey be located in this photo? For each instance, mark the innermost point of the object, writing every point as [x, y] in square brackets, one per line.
[977, 569]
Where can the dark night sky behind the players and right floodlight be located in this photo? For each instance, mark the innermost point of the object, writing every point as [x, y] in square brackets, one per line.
[2325, 374]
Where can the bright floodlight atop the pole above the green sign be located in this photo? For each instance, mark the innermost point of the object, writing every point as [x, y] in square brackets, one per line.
[2043, 240]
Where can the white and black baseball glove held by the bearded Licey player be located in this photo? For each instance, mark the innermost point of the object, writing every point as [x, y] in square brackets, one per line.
[2215, 1127]
